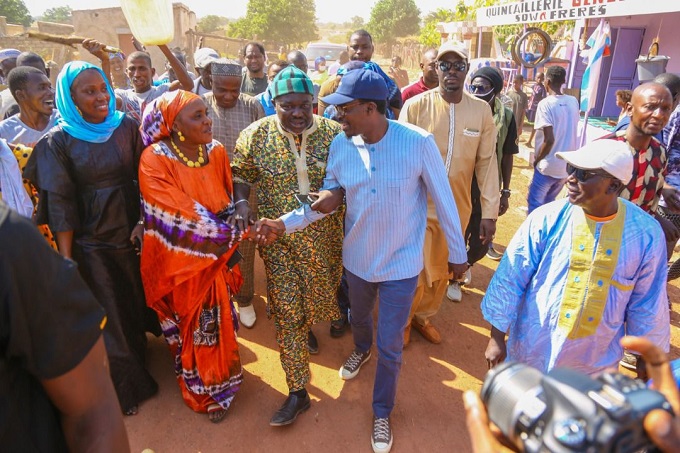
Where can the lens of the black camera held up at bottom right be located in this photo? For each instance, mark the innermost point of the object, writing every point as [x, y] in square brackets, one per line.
[504, 387]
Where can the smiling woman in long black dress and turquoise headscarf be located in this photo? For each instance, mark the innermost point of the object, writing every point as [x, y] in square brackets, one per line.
[85, 169]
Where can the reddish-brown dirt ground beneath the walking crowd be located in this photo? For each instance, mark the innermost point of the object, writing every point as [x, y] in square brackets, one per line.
[429, 414]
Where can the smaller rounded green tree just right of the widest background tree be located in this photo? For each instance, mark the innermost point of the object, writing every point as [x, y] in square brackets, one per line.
[391, 19]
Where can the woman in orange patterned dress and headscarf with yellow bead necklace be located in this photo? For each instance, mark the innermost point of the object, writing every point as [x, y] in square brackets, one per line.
[189, 254]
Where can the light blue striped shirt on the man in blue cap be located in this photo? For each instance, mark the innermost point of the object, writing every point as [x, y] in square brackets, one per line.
[386, 186]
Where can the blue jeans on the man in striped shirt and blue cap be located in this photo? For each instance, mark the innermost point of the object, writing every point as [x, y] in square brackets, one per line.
[394, 305]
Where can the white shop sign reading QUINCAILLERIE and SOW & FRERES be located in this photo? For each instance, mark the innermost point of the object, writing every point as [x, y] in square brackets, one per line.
[554, 10]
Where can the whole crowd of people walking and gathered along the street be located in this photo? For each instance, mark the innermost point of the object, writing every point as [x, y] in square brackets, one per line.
[311, 167]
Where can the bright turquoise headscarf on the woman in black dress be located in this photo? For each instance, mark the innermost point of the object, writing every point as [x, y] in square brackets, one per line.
[71, 120]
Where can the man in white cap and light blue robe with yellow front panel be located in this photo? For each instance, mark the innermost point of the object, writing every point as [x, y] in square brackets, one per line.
[580, 272]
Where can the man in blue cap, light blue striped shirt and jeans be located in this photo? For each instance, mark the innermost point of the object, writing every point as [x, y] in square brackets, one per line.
[385, 170]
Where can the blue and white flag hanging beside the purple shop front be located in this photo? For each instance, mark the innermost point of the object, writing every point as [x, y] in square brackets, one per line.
[599, 43]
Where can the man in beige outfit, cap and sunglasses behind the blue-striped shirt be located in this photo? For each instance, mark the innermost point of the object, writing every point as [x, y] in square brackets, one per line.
[464, 130]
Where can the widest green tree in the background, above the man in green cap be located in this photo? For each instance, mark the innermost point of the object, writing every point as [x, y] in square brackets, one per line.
[277, 21]
